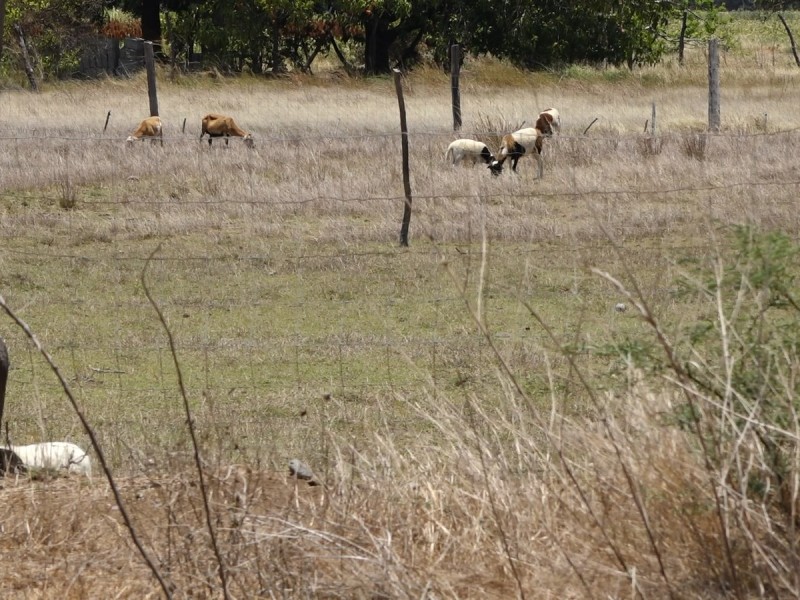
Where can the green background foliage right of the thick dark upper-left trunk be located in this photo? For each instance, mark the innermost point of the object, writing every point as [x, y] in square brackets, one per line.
[531, 34]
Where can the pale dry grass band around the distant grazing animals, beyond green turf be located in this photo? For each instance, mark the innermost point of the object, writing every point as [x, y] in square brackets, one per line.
[331, 168]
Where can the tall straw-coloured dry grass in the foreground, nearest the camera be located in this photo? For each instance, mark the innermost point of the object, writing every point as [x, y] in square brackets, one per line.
[403, 522]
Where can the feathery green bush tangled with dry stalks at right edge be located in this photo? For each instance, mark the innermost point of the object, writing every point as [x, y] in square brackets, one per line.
[740, 358]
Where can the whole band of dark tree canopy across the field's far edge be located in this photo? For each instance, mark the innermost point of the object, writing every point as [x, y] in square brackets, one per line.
[372, 35]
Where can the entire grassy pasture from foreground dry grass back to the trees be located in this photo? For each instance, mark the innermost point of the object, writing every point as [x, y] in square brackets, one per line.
[419, 382]
